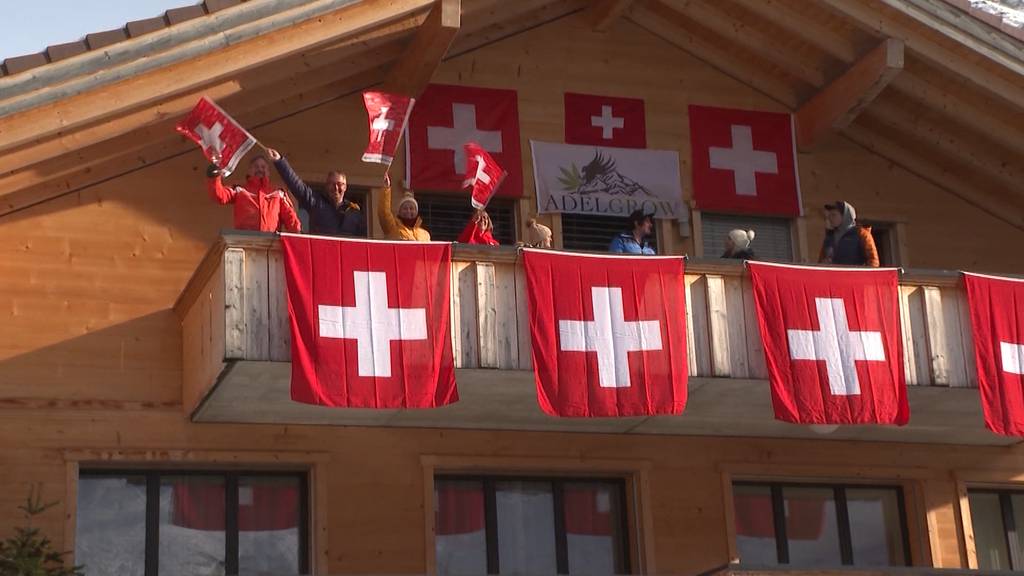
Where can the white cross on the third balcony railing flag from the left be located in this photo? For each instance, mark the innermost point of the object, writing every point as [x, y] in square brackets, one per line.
[835, 344]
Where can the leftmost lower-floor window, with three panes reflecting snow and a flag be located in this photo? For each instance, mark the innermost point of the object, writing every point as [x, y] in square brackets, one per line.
[184, 523]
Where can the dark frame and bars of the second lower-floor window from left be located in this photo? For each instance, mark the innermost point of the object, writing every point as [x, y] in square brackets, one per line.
[488, 482]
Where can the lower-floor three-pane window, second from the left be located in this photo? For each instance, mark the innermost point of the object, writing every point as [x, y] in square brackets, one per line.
[500, 525]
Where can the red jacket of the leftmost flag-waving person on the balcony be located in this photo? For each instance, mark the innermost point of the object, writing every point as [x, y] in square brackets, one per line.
[258, 207]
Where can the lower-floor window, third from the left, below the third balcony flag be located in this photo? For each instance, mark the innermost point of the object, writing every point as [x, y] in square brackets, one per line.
[820, 525]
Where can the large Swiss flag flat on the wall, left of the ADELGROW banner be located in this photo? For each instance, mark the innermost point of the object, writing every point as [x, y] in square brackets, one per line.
[446, 119]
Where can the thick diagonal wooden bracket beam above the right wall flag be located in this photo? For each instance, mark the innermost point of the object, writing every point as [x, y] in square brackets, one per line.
[835, 107]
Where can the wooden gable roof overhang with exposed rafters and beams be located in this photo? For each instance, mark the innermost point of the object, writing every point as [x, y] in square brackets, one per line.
[920, 83]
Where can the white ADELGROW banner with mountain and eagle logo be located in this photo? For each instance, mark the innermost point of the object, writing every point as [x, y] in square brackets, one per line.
[614, 182]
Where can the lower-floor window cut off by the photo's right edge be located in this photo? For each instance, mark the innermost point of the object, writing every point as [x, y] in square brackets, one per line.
[995, 515]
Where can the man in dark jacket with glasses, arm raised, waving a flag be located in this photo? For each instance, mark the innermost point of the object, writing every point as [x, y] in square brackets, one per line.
[330, 214]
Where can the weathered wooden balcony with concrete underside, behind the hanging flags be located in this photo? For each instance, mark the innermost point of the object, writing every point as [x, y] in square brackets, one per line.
[237, 354]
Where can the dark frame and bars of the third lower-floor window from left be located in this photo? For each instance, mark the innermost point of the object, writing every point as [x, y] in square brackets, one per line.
[842, 516]
